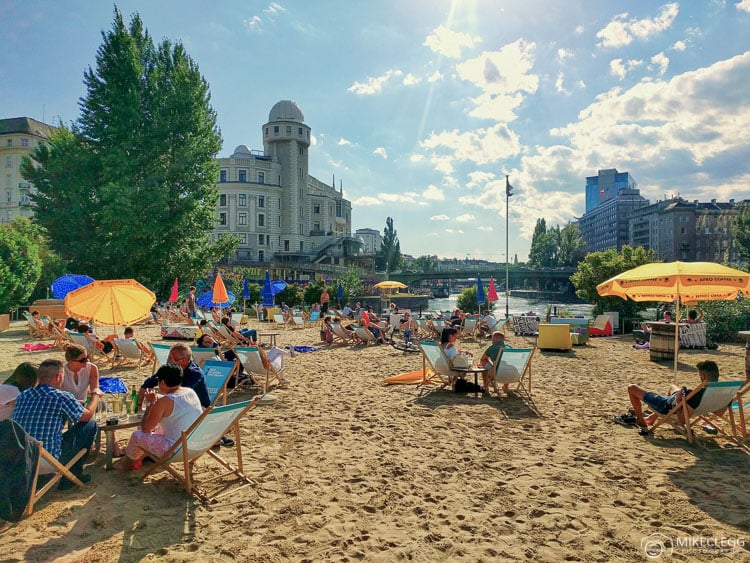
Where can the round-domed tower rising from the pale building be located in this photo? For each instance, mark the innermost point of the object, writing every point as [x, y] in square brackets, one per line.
[286, 138]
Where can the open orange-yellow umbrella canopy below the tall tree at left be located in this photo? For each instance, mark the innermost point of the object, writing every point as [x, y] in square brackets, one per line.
[111, 302]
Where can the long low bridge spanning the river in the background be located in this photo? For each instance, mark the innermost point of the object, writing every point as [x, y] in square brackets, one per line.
[551, 279]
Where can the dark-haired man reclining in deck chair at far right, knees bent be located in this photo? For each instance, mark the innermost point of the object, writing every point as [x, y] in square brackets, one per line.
[662, 404]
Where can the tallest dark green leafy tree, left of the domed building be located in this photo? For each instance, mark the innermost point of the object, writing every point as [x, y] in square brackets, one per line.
[129, 190]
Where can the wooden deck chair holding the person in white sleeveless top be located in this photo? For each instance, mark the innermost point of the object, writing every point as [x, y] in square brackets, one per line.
[215, 422]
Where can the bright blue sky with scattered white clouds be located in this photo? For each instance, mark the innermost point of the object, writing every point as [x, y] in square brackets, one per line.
[422, 107]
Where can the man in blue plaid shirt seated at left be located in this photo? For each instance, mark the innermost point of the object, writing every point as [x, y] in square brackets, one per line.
[43, 410]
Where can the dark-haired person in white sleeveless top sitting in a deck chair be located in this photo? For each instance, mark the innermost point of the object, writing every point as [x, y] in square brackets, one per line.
[167, 414]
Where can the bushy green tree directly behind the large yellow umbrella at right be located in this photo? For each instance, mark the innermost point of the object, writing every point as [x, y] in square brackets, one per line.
[598, 267]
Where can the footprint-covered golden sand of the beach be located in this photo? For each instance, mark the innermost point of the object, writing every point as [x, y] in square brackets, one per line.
[350, 469]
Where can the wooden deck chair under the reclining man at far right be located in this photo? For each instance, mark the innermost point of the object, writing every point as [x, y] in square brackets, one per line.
[718, 395]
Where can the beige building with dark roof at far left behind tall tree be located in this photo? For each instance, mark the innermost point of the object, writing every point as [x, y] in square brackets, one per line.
[19, 136]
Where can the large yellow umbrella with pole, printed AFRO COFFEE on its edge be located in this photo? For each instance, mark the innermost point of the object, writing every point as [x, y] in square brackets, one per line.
[686, 282]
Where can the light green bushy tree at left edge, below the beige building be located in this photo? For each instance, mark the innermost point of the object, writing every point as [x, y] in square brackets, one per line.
[20, 263]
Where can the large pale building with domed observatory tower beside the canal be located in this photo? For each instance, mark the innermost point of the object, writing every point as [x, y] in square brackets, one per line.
[285, 219]
